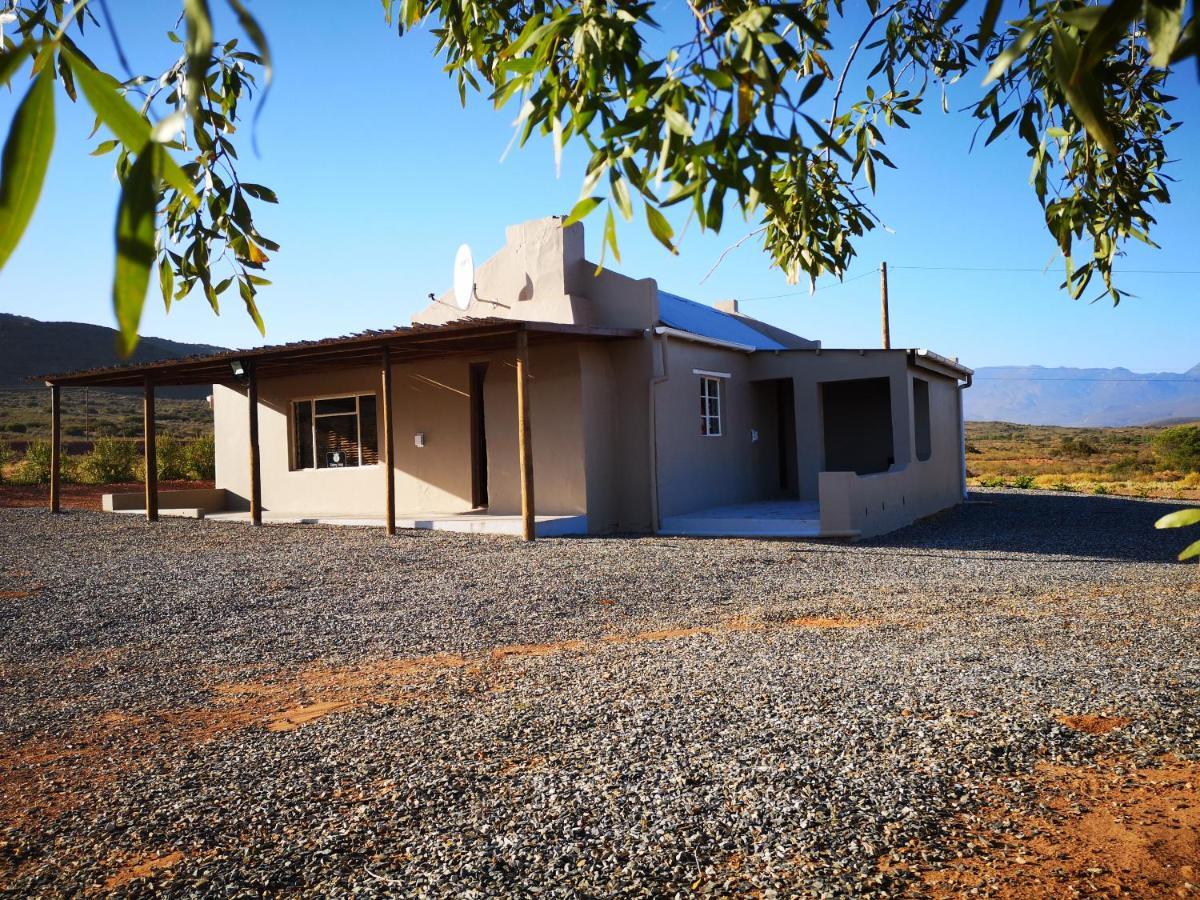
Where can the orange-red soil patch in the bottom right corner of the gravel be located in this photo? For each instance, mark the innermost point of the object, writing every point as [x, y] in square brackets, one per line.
[1108, 830]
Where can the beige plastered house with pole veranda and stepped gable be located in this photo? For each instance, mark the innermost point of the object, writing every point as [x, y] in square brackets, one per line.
[568, 400]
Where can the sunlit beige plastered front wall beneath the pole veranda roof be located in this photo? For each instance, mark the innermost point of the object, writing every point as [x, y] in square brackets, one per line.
[589, 445]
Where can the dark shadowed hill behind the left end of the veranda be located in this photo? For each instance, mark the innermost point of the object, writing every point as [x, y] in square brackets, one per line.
[29, 347]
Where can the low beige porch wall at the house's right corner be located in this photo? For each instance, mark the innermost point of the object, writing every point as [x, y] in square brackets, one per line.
[881, 503]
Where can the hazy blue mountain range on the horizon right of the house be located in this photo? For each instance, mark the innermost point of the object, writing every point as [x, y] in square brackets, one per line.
[1035, 395]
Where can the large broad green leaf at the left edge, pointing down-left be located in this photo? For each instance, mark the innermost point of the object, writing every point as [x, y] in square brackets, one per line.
[27, 155]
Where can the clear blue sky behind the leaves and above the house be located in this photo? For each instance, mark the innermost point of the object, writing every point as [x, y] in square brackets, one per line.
[382, 175]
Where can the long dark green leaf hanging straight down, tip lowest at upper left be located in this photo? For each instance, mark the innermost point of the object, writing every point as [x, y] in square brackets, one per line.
[135, 244]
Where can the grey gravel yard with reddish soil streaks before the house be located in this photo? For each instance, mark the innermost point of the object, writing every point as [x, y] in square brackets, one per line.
[205, 709]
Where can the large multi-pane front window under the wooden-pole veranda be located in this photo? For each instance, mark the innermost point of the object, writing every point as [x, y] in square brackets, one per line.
[335, 433]
